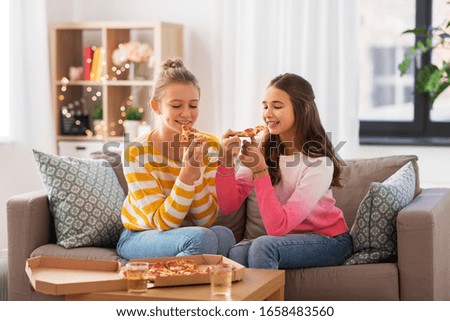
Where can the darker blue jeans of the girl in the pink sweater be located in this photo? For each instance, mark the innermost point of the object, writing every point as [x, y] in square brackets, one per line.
[293, 251]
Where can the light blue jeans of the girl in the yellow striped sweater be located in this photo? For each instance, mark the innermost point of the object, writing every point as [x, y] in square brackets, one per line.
[189, 240]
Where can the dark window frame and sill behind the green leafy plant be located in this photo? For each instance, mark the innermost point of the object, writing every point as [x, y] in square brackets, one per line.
[419, 131]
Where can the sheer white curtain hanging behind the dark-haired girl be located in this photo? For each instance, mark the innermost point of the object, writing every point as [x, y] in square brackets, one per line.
[316, 39]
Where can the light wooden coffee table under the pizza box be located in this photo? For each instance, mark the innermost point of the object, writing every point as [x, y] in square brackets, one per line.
[257, 284]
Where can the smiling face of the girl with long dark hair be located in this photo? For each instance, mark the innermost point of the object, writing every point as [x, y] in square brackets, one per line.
[279, 114]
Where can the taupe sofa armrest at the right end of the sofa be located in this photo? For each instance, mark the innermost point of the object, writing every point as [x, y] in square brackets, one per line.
[423, 237]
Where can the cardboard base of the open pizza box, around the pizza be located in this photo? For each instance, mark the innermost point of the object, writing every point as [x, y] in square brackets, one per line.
[202, 259]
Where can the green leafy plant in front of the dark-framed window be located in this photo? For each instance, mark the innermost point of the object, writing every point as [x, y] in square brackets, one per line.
[432, 79]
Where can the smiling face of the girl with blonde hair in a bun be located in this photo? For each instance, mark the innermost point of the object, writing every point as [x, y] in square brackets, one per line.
[178, 106]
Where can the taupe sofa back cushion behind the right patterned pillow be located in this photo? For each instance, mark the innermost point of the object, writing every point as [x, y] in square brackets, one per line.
[357, 176]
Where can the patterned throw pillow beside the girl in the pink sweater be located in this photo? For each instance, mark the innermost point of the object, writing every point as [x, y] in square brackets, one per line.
[374, 231]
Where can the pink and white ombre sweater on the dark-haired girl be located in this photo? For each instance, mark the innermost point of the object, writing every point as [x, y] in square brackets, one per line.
[301, 203]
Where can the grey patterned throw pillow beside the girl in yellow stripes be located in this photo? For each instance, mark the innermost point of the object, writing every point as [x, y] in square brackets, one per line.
[85, 199]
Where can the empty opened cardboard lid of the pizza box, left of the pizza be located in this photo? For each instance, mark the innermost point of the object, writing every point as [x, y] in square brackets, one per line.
[60, 276]
